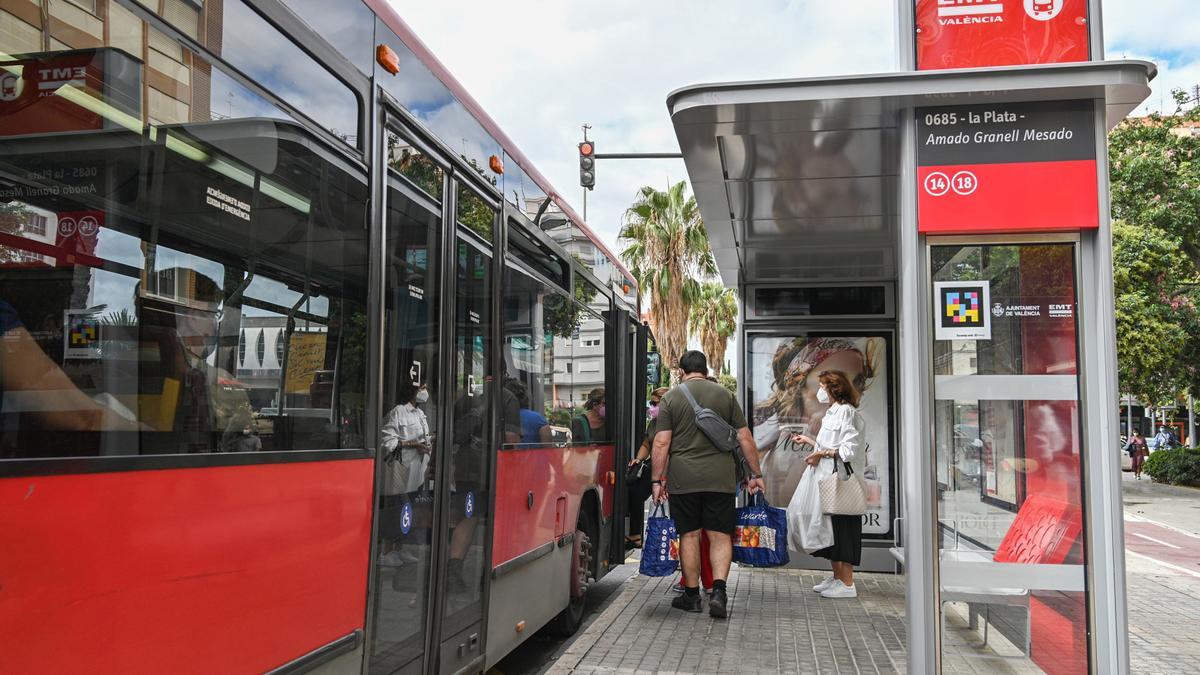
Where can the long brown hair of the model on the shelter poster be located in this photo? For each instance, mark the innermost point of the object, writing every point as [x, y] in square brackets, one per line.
[797, 359]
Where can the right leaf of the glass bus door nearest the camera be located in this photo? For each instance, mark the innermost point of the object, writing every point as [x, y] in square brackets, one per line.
[478, 403]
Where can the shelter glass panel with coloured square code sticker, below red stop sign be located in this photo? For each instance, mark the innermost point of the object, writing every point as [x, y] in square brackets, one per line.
[1010, 457]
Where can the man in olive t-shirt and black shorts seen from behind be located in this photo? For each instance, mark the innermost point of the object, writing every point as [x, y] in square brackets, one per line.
[700, 431]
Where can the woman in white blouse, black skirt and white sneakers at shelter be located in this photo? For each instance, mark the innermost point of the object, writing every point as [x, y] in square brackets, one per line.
[843, 439]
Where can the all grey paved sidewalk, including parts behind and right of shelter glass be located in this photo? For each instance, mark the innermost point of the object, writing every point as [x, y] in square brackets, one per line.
[779, 625]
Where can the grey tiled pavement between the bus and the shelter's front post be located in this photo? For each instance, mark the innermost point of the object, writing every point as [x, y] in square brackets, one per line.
[777, 625]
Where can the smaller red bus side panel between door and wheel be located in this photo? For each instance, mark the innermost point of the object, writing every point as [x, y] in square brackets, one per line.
[549, 474]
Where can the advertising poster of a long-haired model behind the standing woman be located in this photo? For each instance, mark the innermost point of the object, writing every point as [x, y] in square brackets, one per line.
[783, 395]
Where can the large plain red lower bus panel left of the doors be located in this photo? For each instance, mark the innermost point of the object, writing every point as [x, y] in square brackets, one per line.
[220, 570]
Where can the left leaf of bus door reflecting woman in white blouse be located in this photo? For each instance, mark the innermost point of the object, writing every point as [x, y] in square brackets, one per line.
[406, 497]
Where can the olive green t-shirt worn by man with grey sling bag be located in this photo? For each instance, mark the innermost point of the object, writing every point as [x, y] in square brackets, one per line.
[695, 465]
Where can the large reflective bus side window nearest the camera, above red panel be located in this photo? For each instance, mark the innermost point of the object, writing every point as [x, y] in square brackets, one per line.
[179, 288]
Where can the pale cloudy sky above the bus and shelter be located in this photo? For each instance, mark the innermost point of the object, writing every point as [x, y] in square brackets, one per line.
[544, 68]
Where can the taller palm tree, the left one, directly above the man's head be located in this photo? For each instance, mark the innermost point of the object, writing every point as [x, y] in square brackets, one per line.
[668, 253]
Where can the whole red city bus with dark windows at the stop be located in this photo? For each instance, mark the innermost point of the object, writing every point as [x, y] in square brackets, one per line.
[295, 351]
